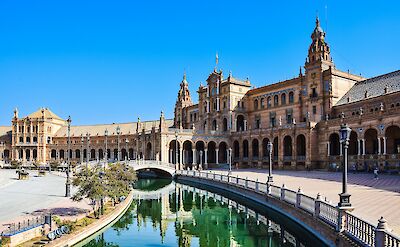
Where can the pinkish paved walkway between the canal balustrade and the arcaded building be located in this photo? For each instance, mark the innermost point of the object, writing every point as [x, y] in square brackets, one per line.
[371, 198]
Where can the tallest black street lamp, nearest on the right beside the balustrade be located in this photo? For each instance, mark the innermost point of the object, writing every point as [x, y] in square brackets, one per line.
[344, 139]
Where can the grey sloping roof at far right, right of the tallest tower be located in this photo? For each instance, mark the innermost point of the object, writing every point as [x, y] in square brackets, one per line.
[373, 87]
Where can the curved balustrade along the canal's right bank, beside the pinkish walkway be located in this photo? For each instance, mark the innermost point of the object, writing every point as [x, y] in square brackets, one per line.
[361, 231]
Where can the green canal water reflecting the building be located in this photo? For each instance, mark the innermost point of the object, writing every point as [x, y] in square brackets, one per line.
[166, 213]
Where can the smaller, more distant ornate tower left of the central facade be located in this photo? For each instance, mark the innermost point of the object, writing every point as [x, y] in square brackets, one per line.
[183, 100]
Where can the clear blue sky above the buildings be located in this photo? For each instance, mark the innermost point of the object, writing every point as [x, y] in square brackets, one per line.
[112, 61]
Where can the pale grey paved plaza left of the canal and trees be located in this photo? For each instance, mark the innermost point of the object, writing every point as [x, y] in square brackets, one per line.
[21, 199]
